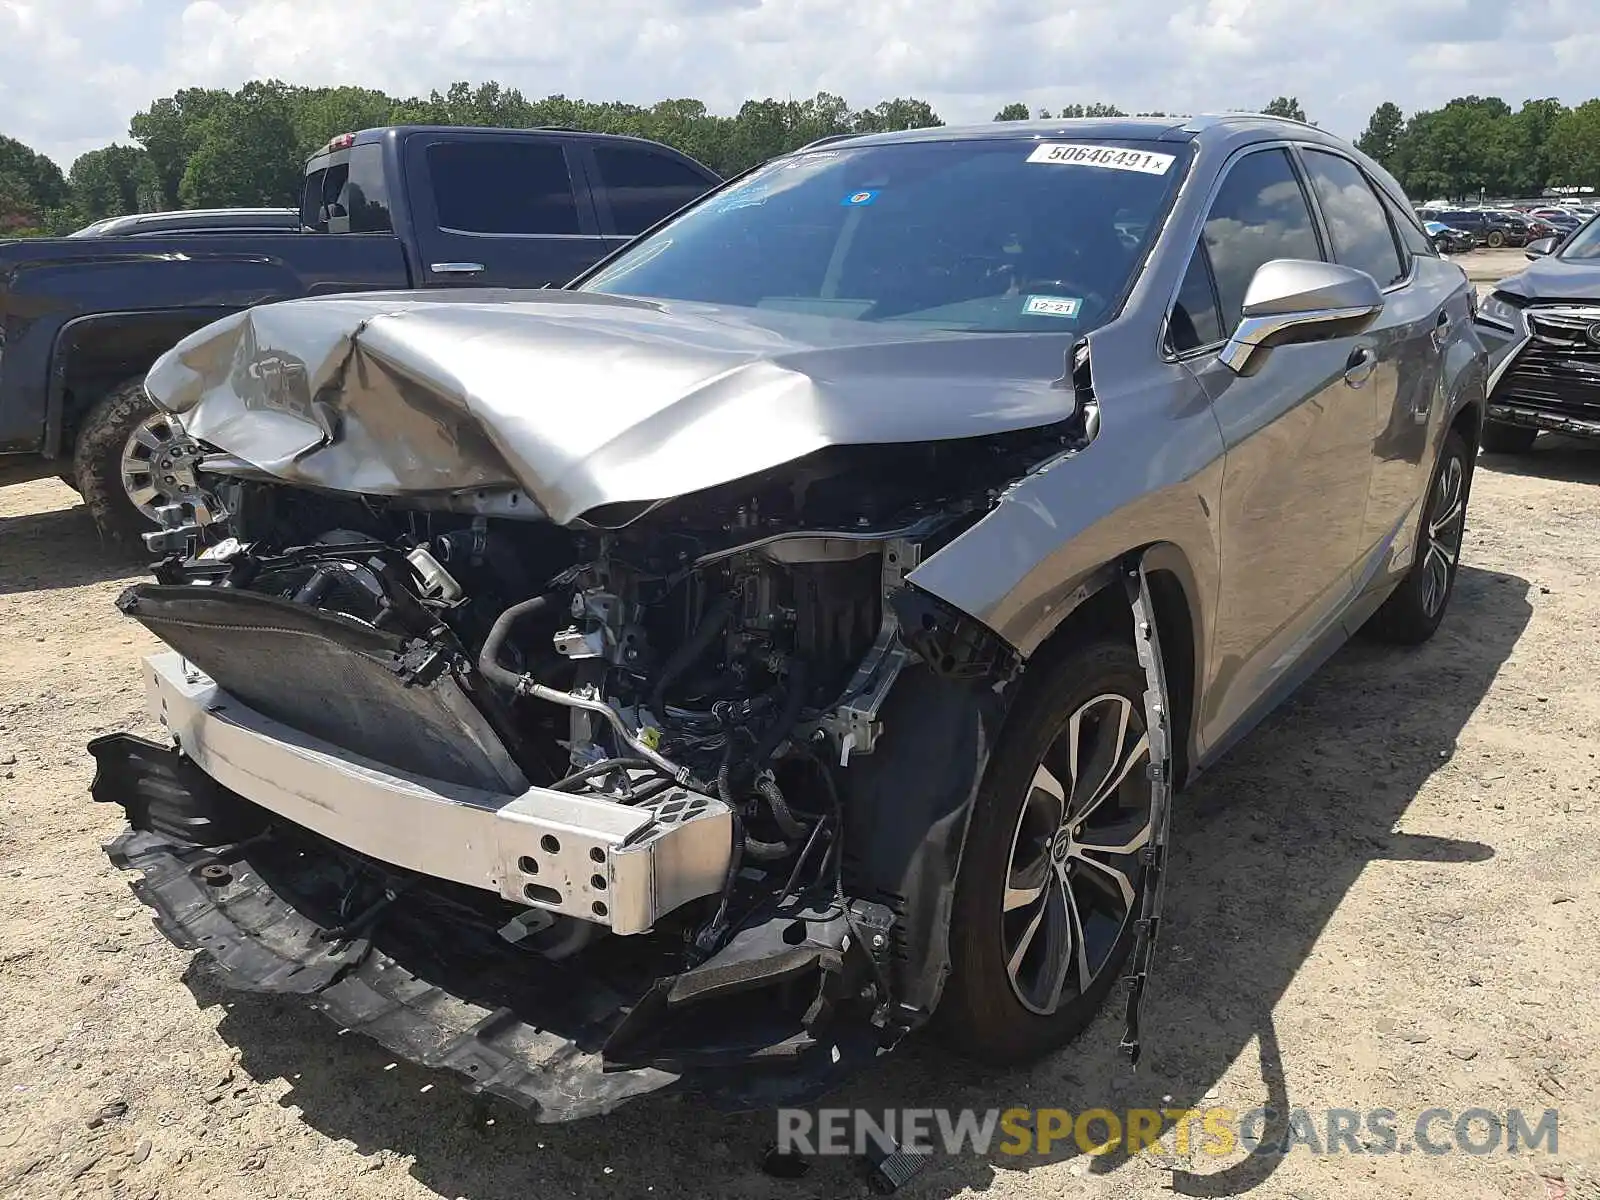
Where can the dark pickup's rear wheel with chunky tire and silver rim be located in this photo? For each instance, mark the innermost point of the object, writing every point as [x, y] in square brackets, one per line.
[132, 458]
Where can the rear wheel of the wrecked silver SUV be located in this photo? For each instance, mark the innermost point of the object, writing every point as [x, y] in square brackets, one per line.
[1415, 609]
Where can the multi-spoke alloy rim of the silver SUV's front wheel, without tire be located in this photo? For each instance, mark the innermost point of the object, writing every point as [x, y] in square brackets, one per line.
[1073, 876]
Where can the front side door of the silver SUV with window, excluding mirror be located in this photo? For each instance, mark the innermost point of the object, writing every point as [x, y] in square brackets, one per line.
[1298, 439]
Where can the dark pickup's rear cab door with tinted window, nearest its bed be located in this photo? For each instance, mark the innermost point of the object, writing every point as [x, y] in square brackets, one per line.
[500, 210]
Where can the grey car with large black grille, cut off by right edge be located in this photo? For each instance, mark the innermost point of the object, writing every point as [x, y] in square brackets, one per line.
[1543, 332]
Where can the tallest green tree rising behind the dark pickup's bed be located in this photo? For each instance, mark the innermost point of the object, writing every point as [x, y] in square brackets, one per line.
[249, 153]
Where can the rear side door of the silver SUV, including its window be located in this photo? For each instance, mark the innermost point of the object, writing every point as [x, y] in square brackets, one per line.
[1399, 353]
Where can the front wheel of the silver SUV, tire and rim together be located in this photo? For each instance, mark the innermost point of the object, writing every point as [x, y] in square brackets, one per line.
[1050, 886]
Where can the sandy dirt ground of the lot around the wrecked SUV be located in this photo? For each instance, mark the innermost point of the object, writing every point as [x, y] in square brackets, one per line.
[1385, 898]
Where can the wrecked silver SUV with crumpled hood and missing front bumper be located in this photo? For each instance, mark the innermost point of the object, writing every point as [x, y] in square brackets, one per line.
[791, 633]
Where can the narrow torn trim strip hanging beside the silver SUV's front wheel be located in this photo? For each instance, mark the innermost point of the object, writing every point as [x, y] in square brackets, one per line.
[1158, 716]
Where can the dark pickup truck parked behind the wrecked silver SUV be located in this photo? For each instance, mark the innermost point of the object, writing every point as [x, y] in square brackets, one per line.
[82, 319]
